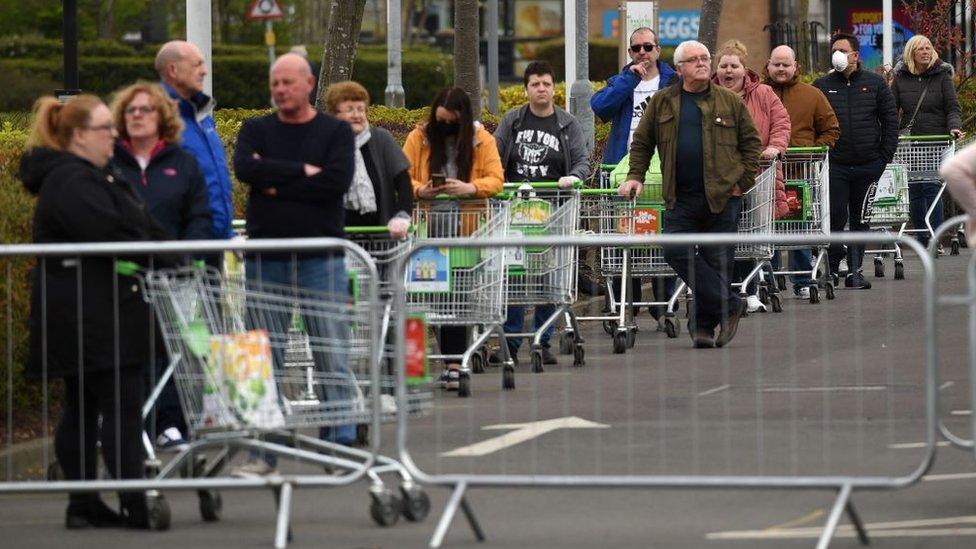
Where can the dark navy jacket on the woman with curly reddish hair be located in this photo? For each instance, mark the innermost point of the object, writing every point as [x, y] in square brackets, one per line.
[173, 188]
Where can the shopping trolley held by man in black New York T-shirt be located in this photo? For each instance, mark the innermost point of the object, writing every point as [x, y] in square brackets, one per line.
[542, 275]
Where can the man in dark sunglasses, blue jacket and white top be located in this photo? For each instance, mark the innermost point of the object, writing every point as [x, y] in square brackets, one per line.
[624, 97]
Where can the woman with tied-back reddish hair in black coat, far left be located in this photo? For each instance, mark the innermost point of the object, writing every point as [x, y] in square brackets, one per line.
[88, 325]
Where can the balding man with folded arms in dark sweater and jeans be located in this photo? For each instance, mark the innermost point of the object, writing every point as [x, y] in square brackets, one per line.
[299, 164]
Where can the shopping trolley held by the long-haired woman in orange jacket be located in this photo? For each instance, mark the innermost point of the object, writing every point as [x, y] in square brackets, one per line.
[460, 286]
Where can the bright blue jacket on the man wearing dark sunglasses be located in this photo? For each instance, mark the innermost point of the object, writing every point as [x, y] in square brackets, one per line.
[616, 102]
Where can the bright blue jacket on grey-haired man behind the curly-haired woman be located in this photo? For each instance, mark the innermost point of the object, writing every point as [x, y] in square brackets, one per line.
[201, 140]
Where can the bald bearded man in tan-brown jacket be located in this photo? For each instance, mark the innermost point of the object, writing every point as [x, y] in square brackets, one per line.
[814, 124]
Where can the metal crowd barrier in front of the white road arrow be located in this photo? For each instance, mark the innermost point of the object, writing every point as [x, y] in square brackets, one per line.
[712, 418]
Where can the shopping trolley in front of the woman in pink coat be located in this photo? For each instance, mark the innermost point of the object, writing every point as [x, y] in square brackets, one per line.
[756, 218]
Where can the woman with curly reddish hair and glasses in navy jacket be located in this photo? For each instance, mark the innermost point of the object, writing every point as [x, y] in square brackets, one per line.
[169, 180]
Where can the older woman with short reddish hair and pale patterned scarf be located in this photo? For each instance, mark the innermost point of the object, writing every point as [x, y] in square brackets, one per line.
[381, 193]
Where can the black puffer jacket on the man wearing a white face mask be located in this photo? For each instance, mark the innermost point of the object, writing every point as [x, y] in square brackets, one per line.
[865, 109]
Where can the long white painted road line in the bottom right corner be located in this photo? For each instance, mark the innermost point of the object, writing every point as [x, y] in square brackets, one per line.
[949, 526]
